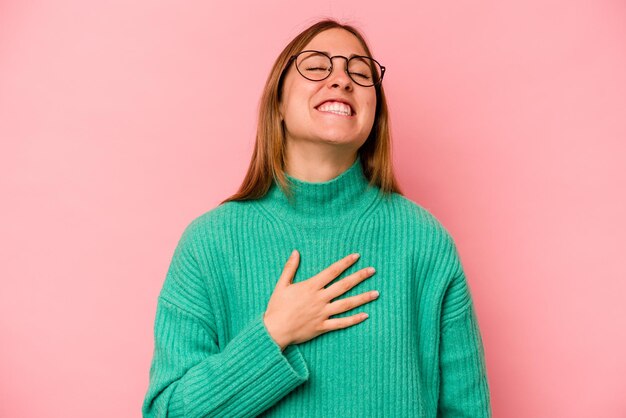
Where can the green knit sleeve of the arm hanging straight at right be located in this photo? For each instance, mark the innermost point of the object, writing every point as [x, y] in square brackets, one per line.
[464, 389]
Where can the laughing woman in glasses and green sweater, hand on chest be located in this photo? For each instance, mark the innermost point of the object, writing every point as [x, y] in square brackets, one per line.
[233, 340]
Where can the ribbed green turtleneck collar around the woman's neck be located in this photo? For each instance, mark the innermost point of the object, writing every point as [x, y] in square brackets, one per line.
[323, 204]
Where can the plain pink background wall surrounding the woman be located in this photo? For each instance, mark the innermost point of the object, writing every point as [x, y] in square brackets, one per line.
[121, 121]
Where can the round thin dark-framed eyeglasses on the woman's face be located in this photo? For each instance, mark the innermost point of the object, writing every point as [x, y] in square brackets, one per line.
[317, 66]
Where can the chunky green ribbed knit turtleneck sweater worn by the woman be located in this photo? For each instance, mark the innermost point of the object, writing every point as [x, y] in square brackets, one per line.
[419, 354]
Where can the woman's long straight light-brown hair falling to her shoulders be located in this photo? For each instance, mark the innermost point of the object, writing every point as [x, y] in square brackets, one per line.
[268, 158]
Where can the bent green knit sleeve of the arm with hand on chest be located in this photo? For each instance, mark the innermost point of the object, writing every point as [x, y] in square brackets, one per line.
[190, 376]
